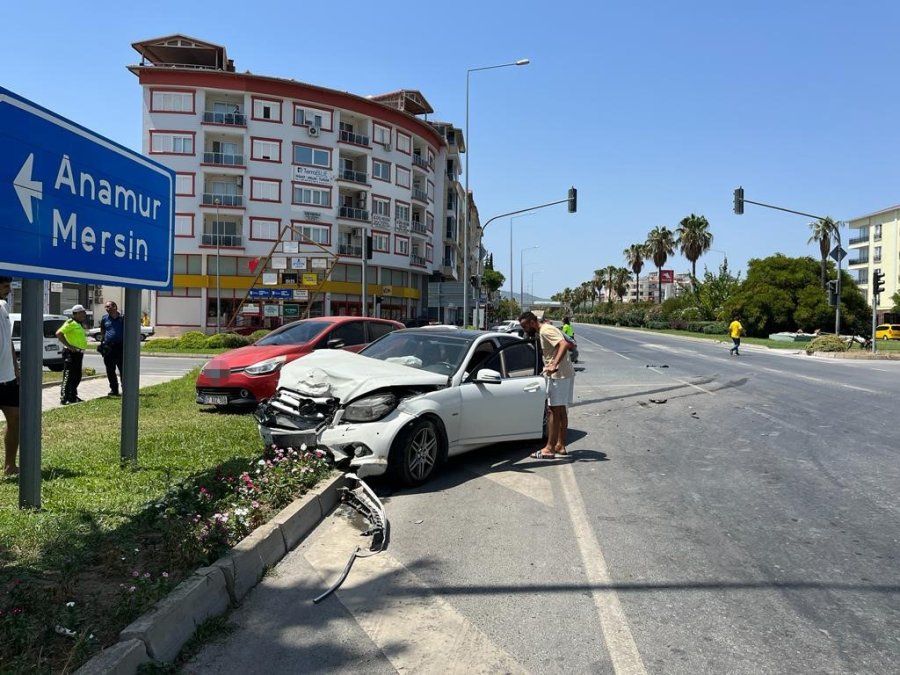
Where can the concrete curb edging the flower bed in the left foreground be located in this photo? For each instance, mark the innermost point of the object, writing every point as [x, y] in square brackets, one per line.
[160, 634]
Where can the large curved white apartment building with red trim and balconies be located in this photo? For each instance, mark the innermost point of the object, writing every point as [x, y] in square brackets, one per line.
[283, 186]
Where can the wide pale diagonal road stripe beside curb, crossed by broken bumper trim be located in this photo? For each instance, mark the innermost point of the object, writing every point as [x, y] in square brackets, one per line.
[417, 631]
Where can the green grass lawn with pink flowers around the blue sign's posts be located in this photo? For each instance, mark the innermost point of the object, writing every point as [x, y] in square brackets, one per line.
[111, 539]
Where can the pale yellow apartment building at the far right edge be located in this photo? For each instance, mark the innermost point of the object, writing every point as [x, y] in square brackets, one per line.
[874, 243]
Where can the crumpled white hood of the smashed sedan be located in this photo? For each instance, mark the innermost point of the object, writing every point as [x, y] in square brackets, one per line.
[345, 375]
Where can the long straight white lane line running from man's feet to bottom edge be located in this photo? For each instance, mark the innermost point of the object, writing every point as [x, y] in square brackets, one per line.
[620, 644]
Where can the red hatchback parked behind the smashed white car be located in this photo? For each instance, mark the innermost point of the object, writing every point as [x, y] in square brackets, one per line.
[244, 377]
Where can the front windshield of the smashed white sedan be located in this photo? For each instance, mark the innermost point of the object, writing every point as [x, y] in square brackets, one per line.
[433, 351]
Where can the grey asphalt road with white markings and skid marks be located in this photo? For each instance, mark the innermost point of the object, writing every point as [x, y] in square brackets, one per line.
[722, 515]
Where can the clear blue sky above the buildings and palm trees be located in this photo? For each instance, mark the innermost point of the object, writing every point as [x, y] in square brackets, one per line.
[653, 110]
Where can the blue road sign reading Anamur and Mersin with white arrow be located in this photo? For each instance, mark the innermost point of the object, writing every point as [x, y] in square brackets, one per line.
[76, 206]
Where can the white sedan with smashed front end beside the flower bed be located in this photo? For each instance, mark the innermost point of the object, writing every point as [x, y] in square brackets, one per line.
[409, 400]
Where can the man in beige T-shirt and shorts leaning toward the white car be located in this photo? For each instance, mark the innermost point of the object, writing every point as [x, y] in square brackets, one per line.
[561, 383]
